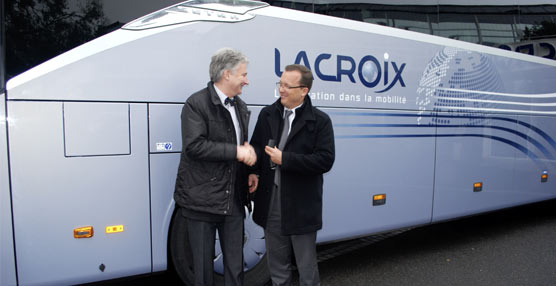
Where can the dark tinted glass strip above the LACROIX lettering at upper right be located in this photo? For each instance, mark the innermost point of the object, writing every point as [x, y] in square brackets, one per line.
[524, 28]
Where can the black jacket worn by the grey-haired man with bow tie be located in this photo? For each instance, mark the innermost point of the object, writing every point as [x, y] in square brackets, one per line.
[206, 180]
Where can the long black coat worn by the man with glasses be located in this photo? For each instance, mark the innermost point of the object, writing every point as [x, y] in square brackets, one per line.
[308, 153]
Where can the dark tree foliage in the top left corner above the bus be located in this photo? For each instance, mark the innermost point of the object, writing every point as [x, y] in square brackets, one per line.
[37, 30]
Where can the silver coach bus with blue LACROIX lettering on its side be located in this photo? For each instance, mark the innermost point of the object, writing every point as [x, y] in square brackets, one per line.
[427, 129]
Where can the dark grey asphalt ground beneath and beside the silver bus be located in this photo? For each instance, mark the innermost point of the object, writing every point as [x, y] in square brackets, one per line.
[510, 247]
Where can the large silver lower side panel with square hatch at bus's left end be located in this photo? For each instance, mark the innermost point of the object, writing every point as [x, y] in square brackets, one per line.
[75, 165]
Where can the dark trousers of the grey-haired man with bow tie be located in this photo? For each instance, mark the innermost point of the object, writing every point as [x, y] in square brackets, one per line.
[202, 237]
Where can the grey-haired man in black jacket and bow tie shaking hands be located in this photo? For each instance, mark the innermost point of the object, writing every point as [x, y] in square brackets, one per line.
[211, 185]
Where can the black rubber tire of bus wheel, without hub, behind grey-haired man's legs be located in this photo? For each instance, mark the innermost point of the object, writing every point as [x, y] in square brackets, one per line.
[181, 258]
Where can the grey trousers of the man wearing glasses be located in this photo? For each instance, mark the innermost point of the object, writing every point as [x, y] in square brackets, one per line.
[279, 256]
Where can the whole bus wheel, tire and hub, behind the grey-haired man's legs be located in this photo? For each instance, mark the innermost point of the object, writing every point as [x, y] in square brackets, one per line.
[254, 254]
